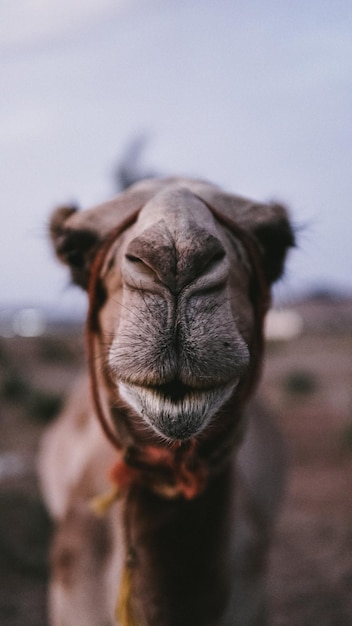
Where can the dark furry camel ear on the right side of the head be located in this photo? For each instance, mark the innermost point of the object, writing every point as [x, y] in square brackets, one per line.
[272, 229]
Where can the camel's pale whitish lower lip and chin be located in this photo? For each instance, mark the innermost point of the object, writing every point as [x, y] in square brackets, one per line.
[175, 410]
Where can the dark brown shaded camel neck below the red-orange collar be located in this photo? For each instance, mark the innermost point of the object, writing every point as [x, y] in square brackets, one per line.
[179, 553]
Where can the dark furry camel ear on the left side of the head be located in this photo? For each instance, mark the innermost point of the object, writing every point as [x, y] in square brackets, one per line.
[74, 247]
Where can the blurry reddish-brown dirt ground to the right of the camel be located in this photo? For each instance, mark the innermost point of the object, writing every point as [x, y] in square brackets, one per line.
[309, 382]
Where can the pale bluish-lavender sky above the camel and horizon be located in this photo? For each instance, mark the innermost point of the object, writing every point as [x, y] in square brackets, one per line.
[254, 95]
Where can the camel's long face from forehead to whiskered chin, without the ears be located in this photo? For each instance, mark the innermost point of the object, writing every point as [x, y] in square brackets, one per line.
[178, 344]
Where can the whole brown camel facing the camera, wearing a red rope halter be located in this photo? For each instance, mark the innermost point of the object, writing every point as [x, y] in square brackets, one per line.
[178, 275]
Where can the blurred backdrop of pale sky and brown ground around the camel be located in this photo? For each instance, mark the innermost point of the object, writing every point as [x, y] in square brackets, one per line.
[253, 95]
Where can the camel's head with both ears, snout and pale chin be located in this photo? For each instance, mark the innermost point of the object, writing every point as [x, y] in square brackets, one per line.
[176, 312]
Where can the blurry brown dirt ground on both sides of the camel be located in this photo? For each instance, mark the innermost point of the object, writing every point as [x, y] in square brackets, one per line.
[307, 381]
